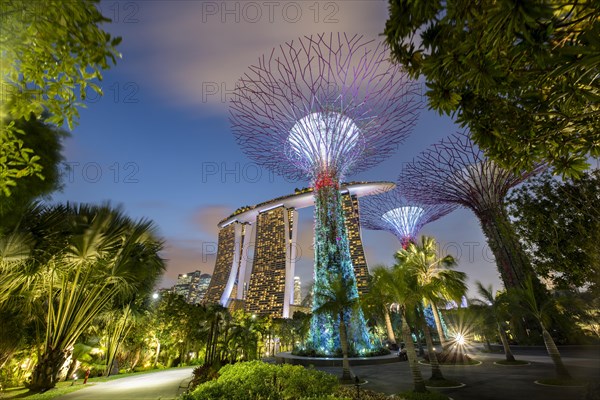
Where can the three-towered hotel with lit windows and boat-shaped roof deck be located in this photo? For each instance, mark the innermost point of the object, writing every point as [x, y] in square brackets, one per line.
[270, 229]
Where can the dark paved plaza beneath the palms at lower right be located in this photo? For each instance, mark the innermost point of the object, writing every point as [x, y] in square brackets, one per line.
[488, 381]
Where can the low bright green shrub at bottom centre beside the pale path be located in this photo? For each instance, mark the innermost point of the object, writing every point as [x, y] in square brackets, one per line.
[258, 380]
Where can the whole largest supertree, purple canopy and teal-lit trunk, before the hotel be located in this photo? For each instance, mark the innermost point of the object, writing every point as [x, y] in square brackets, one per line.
[321, 108]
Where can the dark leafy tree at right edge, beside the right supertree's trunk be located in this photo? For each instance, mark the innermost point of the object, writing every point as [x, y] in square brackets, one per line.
[559, 224]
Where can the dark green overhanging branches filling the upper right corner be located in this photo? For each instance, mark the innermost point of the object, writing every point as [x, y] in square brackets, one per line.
[521, 75]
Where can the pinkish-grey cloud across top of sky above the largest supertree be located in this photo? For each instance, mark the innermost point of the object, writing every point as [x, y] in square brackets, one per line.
[191, 53]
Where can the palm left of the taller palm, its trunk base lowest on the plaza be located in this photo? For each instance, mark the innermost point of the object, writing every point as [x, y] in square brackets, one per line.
[399, 283]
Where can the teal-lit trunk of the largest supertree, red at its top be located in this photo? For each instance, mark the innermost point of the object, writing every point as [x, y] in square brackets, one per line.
[332, 257]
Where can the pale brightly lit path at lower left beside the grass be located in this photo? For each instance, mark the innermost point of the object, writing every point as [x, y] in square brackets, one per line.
[160, 385]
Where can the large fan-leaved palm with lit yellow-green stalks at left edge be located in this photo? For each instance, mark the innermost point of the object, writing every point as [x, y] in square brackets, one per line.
[83, 258]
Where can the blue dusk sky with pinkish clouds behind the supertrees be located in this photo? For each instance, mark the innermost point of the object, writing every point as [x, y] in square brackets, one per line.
[159, 141]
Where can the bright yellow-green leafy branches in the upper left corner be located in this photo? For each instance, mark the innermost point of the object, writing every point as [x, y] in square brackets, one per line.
[52, 52]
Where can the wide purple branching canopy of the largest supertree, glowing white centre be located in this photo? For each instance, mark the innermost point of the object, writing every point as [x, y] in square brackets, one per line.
[326, 102]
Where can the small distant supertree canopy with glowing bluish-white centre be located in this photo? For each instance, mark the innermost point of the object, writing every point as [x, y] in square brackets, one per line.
[393, 212]
